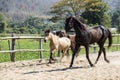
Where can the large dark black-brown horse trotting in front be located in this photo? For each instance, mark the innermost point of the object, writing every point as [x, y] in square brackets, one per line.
[86, 36]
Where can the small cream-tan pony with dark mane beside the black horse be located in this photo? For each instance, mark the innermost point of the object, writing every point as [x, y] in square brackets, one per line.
[56, 43]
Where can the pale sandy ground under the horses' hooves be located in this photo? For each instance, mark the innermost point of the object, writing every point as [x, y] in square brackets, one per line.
[35, 70]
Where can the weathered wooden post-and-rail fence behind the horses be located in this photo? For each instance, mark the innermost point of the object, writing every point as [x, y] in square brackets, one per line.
[12, 41]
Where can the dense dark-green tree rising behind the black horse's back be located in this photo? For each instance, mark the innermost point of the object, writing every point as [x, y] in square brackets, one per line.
[96, 12]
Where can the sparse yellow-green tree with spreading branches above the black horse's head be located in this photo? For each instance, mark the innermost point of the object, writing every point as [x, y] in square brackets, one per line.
[64, 8]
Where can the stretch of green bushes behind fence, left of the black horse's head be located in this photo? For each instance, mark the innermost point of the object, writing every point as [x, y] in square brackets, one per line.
[33, 25]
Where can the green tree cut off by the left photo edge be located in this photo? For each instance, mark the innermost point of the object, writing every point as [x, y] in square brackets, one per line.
[3, 22]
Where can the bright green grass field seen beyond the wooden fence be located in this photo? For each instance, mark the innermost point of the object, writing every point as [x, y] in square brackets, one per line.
[33, 44]
